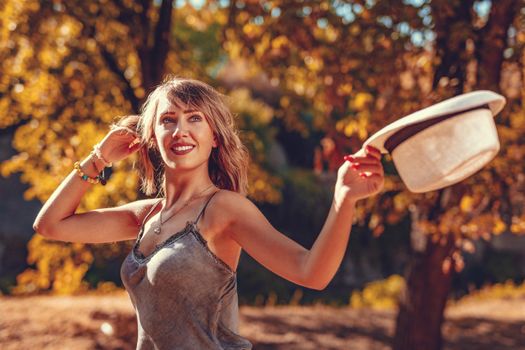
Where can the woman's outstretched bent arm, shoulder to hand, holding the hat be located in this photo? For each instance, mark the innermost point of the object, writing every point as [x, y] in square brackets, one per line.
[359, 177]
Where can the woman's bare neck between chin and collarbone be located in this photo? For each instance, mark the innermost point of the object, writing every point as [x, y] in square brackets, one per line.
[182, 186]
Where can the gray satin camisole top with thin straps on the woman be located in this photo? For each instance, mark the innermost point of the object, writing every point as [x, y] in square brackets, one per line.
[184, 296]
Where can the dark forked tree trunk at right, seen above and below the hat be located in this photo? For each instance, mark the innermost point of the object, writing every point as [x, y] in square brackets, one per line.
[430, 270]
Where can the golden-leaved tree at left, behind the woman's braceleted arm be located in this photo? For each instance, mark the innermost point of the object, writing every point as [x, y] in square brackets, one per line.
[69, 69]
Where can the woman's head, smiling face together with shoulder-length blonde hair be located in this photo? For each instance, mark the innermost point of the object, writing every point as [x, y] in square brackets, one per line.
[190, 113]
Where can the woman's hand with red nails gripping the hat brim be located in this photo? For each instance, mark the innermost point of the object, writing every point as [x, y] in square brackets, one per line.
[360, 176]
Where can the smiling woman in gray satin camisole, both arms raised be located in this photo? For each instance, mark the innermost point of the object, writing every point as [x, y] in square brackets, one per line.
[180, 274]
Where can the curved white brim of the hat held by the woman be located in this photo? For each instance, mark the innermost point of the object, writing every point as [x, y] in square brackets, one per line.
[452, 106]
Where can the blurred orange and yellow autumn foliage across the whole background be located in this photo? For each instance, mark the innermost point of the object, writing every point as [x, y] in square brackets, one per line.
[338, 69]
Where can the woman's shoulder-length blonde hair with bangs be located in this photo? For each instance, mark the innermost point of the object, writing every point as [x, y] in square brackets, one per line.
[228, 163]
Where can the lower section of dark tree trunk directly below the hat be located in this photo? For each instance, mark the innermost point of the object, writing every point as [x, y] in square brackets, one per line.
[428, 280]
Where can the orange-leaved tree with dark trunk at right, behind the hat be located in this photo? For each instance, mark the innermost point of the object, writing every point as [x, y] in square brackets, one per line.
[363, 64]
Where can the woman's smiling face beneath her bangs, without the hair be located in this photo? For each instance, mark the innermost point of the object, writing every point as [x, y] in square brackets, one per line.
[183, 136]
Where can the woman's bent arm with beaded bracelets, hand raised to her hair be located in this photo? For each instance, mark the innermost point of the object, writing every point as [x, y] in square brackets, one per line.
[57, 218]
